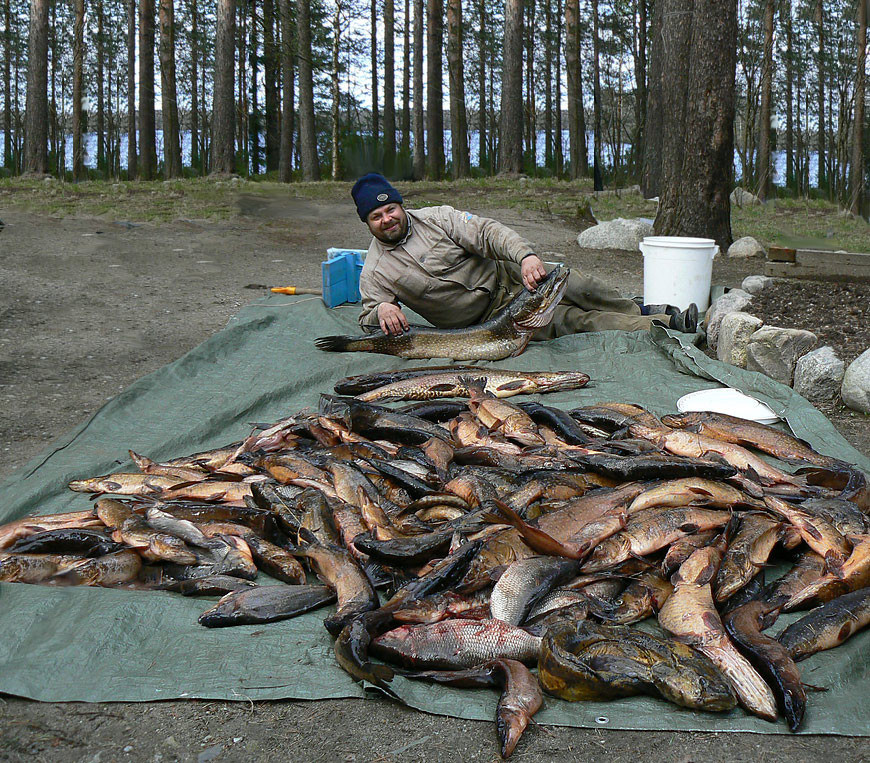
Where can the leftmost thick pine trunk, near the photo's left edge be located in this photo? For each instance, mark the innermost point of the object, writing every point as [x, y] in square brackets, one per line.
[36, 109]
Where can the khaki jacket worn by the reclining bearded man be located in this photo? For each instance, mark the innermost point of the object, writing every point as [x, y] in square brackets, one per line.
[447, 269]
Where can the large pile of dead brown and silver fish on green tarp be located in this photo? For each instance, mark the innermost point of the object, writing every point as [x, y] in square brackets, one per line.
[468, 541]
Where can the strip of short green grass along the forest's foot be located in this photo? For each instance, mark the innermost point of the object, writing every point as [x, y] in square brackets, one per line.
[806, 223]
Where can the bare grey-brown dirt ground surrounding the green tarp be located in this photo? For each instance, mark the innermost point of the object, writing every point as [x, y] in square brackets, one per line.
[89, 305]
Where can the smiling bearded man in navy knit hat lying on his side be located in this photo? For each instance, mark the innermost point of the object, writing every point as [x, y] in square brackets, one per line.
[456, 270]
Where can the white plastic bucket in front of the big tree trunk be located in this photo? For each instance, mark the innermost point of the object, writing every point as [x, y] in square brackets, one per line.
[677, 270]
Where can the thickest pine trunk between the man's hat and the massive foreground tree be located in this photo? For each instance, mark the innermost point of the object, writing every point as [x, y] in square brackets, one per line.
[511, 114]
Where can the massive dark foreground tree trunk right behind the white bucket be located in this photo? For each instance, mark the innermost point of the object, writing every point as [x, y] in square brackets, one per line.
[698, 160]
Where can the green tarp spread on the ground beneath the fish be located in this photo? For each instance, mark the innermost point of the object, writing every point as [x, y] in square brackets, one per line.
[63, 644]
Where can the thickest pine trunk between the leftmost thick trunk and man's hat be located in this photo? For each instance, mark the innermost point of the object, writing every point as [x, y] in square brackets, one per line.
[223, 143]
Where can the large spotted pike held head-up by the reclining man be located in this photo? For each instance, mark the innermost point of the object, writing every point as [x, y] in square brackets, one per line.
[505, 335]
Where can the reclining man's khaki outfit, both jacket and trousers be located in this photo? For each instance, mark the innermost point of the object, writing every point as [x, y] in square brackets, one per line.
[456, 269]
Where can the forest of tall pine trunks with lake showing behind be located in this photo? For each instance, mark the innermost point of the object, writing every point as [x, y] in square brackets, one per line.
[770, 93]
